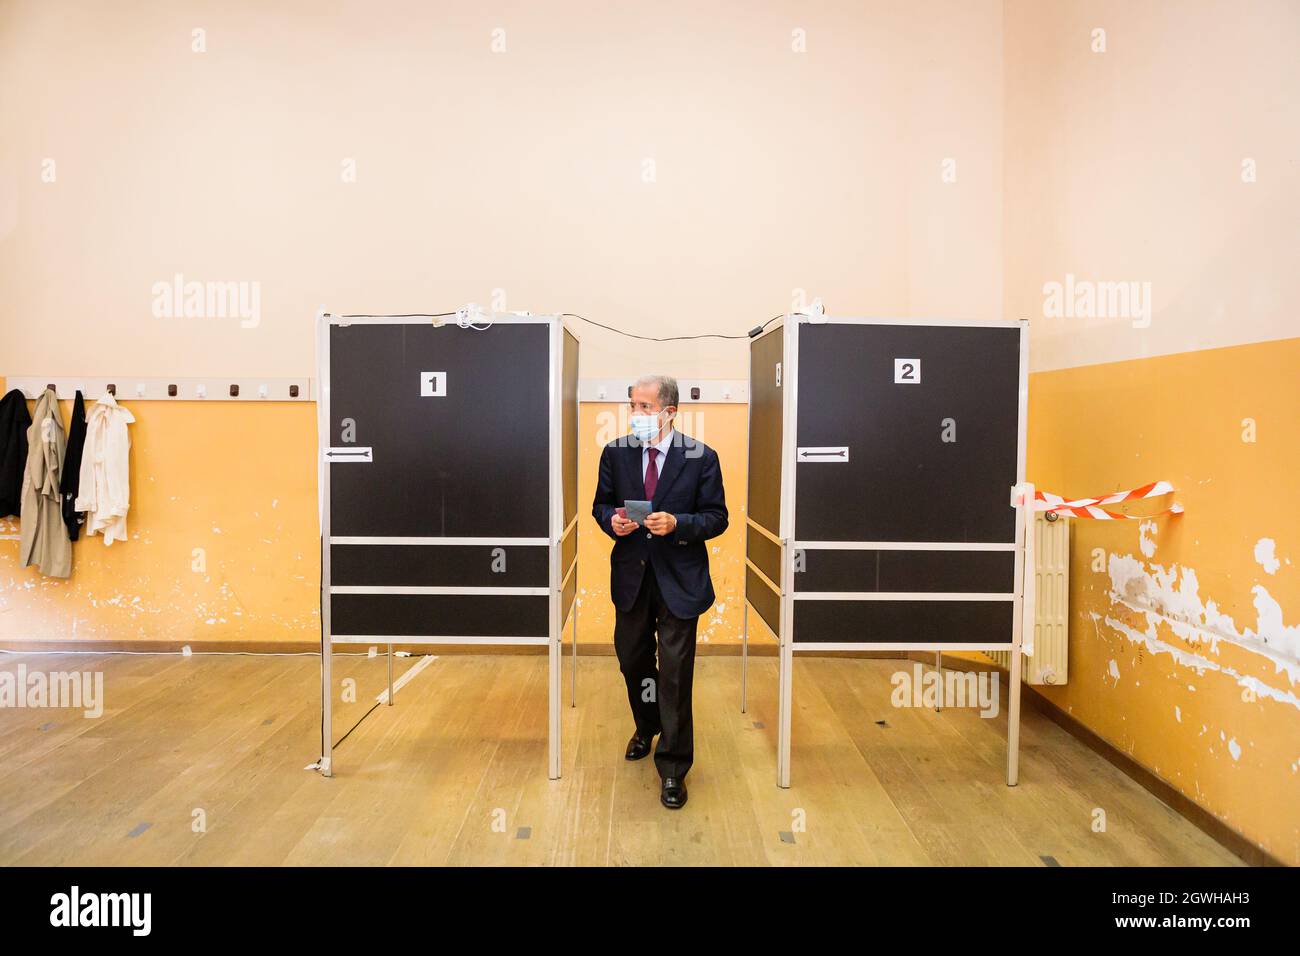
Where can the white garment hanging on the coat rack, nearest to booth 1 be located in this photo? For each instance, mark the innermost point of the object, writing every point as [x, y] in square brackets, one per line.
[106, 487]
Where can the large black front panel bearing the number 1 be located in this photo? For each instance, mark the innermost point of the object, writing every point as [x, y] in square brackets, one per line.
[471, 464]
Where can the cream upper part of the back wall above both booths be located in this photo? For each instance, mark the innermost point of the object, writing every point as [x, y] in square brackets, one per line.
[479, 171]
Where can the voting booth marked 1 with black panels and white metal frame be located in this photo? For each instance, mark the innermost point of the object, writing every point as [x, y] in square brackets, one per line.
[449, 487]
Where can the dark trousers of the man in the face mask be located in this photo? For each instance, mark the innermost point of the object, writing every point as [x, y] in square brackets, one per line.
[660, 695]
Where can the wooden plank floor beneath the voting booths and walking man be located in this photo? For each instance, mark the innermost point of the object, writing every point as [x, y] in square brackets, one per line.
[456, 773]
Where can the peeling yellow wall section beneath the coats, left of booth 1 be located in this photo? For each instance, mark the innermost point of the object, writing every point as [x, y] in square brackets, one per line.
[223, 537]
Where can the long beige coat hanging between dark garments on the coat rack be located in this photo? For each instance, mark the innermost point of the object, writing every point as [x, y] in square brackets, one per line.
[45, 537]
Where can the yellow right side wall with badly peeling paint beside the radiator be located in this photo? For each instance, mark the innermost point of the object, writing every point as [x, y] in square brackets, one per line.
[1203, 707]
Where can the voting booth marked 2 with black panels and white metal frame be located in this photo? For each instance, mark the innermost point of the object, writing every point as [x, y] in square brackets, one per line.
[886, 492]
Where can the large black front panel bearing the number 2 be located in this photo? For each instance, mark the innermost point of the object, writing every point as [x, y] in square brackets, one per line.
[903, 482]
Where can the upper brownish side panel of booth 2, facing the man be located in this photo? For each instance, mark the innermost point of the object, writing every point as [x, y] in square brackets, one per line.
[765, 431]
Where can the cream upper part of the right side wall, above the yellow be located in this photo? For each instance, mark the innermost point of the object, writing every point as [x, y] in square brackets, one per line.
[1128, 166]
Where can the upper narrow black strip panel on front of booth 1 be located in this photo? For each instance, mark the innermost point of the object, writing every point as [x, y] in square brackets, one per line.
[445, 566]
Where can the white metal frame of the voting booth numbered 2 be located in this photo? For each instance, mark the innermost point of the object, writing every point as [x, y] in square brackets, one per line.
[781, 596]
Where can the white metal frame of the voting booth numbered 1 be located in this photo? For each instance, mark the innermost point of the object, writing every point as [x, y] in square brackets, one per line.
[560, 543]
